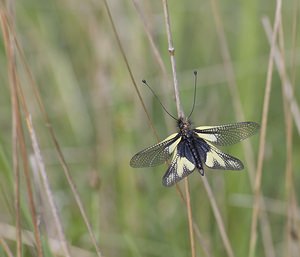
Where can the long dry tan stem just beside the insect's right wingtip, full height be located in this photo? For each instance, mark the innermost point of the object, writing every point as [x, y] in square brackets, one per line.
[262, 141]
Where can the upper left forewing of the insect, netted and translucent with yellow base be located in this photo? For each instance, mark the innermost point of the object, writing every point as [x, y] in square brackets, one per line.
[156, 154]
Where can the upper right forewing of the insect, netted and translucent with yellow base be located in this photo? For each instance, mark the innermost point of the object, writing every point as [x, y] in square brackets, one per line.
[227, 134]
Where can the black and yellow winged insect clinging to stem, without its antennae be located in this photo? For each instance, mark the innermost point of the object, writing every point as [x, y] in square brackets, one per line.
[190, 148]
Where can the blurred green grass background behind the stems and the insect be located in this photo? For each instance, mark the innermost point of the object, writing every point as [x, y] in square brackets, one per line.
[100, 124]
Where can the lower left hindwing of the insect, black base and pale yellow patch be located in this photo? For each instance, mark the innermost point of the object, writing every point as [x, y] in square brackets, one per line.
[182, 165]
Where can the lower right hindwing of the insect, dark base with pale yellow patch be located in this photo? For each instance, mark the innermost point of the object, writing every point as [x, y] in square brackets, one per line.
[213, 158]
